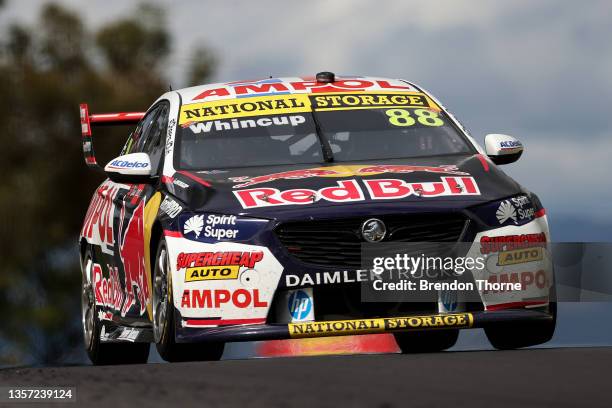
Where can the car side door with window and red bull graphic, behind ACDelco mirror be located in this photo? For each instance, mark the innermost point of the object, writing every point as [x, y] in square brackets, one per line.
[131, 255]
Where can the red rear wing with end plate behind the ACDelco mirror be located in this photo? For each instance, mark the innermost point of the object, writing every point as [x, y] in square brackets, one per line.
[101, 119]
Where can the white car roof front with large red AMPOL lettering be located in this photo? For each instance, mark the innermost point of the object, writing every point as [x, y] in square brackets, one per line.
[290, 85]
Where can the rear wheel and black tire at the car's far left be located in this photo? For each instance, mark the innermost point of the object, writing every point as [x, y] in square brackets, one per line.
[103, 353]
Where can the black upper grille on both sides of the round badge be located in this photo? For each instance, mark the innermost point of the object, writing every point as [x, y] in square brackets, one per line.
[338, 242]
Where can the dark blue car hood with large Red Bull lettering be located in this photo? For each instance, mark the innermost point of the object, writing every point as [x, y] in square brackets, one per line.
[373, 186]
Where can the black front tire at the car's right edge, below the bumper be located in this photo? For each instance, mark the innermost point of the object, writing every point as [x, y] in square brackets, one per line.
[511, 336]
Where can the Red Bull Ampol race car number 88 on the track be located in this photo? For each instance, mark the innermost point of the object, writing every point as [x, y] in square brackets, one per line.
[240, 211]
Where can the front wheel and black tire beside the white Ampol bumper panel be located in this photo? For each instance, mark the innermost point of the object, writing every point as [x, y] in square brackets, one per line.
[164, 314]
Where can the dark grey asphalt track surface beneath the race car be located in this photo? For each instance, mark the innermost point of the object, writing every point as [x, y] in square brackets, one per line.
[565, 377]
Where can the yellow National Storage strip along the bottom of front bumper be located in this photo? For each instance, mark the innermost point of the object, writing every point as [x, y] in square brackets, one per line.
[380, 325]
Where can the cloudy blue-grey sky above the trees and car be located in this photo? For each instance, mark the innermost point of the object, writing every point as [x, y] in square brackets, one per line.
[537, 70]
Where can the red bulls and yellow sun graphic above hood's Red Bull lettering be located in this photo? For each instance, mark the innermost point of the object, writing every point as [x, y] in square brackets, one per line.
[346, 171]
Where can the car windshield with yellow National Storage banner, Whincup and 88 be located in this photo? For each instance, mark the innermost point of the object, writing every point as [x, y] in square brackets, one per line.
[297, 129]
